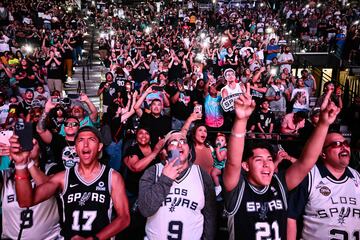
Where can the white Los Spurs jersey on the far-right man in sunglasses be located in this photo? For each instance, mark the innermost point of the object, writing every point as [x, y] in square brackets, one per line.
[333, 207]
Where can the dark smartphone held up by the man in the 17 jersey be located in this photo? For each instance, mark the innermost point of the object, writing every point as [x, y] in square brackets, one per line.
[25, 132]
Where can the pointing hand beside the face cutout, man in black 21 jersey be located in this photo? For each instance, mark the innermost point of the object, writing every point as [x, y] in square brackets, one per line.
[244, 105]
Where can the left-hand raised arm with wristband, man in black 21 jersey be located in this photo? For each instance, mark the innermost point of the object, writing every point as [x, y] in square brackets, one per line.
[244, 106]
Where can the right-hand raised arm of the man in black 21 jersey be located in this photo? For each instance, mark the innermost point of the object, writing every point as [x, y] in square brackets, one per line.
[297, 171]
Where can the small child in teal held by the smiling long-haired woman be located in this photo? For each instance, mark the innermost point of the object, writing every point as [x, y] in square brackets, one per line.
[219, 155]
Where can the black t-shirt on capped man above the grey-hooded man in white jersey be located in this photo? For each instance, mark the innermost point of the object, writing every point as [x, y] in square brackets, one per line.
[158, 127]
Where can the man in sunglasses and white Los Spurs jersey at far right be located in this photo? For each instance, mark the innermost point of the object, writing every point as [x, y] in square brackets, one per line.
[328, 199]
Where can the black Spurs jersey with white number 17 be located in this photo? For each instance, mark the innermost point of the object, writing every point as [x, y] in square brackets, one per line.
[87, 206]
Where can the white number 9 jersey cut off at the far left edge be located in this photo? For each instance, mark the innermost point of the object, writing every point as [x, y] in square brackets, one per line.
[39, 222]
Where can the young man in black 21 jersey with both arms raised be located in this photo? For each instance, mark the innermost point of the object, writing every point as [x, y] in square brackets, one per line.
[256, 198]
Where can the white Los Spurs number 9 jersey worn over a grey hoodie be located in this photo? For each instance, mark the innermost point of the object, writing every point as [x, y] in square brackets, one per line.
[179, 216]
